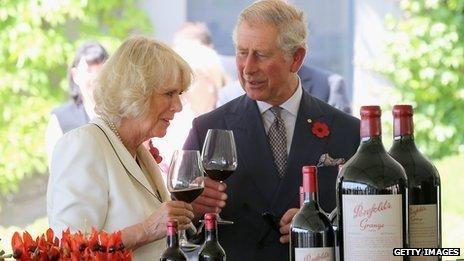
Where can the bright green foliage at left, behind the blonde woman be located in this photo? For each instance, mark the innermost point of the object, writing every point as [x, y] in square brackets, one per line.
[38, 39]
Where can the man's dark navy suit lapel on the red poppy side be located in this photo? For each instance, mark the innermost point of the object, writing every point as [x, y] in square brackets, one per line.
[306, 149]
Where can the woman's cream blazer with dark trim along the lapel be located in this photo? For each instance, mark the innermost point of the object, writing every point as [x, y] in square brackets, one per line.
[92, 184]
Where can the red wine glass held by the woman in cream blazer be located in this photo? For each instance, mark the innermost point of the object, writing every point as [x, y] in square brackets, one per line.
[185, 182]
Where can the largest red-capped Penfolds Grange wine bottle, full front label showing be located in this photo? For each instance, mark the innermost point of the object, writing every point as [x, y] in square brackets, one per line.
[372, 197]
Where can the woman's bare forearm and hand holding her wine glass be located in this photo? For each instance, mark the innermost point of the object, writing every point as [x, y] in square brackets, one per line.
[154, 227]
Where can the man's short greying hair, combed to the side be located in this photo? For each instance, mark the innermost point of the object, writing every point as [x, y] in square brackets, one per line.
[289, 20]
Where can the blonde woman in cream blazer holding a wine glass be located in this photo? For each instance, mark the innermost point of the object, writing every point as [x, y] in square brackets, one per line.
[100, 174]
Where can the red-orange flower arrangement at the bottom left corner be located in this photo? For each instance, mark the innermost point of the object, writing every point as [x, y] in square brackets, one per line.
[98, 246]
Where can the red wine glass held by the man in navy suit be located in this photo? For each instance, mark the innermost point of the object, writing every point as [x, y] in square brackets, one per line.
[219, 157]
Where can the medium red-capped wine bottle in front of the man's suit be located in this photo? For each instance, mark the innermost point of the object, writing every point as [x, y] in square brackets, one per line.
[311, 233]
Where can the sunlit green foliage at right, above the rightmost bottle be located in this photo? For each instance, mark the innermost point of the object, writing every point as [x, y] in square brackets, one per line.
[427, 48]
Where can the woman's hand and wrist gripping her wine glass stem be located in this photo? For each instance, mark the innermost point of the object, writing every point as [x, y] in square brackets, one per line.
[155, 225]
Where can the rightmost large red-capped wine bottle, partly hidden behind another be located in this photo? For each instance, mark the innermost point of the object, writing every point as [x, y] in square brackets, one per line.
[423, 184]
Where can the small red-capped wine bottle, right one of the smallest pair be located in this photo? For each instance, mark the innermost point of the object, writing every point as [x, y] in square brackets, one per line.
[211, 250]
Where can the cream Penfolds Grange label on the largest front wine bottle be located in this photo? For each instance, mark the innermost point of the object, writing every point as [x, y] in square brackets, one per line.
[372, 226]
